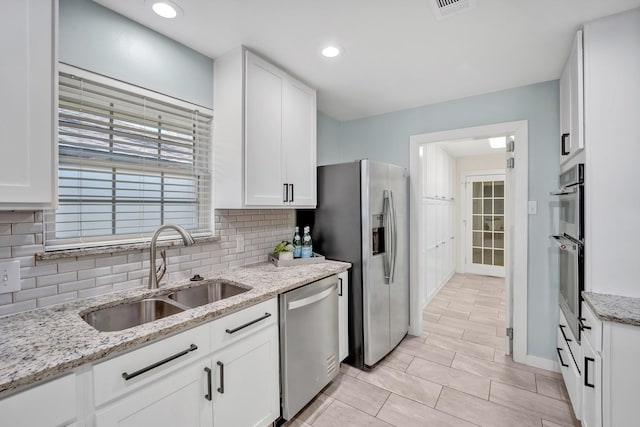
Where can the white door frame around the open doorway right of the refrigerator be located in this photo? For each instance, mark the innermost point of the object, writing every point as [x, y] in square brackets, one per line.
[515, 225]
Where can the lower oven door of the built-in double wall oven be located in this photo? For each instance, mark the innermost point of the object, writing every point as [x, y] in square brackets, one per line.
[569, 257]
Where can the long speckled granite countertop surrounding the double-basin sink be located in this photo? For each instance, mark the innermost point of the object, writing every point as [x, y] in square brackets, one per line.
[46, 342]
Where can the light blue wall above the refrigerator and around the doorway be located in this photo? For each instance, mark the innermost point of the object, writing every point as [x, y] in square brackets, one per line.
[386, 138]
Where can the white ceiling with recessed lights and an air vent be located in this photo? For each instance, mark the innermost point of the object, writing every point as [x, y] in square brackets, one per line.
[397, 55]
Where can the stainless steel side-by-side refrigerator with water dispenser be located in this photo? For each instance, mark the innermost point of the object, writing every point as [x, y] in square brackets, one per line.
[362, 218]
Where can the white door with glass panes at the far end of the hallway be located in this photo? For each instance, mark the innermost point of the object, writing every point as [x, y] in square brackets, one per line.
[485, 224]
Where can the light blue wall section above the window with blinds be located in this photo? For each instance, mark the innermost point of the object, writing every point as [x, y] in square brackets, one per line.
[97, 39]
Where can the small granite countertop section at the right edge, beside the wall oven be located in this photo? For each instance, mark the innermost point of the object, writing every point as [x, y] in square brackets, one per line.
[614, 308]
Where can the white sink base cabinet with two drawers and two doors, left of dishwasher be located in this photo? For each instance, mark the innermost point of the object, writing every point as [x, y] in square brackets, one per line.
[231, 379]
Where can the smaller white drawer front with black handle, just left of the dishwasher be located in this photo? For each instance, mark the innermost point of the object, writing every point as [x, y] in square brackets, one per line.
[244, 322]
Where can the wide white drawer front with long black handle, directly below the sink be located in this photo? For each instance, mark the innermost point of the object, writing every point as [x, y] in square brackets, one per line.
[147, 364]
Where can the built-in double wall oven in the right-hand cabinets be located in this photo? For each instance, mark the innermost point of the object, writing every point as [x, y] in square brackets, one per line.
[568, 245]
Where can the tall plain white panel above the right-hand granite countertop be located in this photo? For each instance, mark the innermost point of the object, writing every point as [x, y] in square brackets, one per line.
[612, 133]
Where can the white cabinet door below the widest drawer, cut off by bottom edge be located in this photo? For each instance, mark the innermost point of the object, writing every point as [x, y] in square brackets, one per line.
[177, 399]
